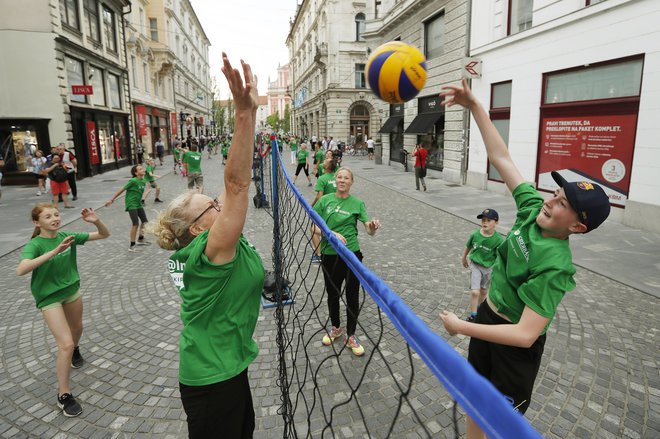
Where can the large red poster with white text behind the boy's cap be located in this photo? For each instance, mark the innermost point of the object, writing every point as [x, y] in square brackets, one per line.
[592, 148]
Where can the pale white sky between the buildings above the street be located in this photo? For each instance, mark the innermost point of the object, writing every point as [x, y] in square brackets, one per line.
[252, 30]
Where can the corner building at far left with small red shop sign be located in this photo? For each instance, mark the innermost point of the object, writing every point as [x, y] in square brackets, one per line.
[67, 82]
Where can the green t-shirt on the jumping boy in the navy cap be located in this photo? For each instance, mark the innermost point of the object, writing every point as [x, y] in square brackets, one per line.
[531, 270]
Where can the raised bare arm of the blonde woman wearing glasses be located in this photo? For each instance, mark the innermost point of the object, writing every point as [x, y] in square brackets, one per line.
[226, 230]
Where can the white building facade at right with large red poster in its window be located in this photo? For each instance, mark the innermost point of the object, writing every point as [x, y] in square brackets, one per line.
[573, 86]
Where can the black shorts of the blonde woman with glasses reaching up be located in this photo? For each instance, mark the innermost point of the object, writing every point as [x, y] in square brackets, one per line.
[220, 407]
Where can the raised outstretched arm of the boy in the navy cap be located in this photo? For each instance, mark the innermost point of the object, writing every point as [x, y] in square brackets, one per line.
[497, 151]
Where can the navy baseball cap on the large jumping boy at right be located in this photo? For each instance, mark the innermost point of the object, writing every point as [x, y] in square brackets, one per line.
[589, 200]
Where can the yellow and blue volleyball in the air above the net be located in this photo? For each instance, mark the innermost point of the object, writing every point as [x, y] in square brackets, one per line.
[396, 72]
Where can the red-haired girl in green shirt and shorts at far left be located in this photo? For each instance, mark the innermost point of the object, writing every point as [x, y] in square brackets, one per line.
[51, 257]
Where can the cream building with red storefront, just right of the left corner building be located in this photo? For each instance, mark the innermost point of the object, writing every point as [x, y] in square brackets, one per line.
[151, 66]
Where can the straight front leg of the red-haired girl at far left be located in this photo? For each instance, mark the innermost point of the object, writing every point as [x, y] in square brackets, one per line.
[59, 327]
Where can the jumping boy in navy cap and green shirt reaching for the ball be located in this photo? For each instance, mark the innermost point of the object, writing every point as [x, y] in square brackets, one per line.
[533, 270]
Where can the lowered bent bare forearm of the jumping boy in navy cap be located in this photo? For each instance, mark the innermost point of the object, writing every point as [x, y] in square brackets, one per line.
[521, 334]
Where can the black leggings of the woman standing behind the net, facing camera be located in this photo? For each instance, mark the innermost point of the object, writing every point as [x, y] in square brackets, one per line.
[335, 272]
